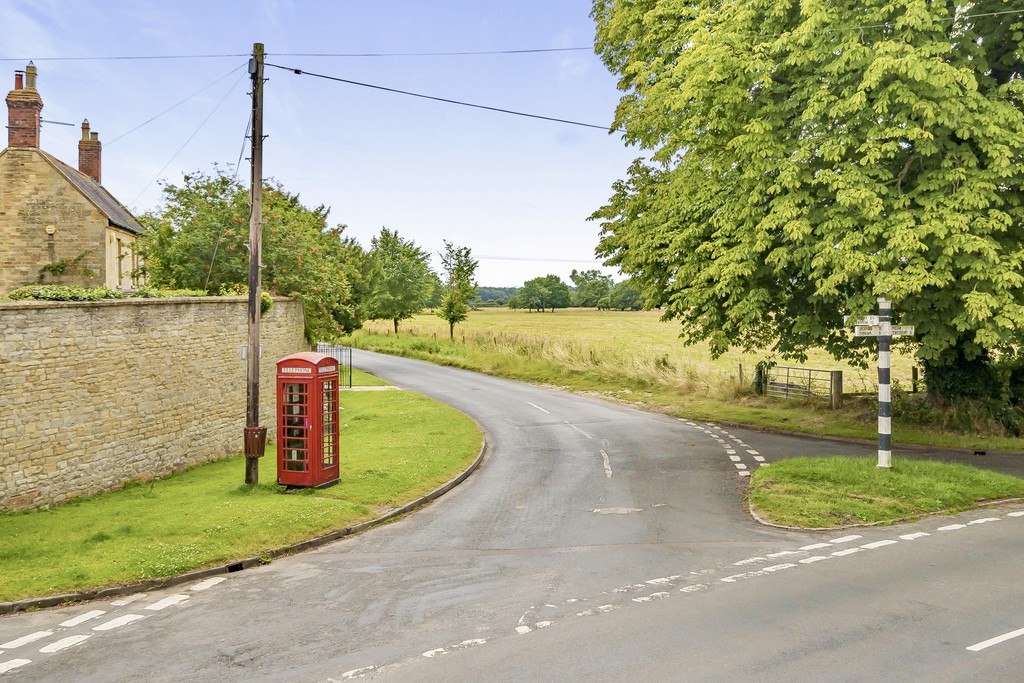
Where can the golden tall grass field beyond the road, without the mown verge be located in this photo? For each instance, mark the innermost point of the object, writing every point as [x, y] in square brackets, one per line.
[634, 350]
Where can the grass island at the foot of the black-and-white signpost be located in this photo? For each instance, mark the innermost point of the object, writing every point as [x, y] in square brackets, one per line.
[826, 493]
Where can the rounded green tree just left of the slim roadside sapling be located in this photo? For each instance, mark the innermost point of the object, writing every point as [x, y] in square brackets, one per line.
[403, 281]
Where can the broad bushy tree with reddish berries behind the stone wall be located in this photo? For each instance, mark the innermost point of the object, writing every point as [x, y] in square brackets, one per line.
[199, 238]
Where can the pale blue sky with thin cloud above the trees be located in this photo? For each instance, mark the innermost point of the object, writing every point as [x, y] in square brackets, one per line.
[516, 191]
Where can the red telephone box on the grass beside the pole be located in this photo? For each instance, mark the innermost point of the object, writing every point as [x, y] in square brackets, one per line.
[308, 420]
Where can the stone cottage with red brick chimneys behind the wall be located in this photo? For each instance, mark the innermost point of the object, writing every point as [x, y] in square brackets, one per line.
[58, 224]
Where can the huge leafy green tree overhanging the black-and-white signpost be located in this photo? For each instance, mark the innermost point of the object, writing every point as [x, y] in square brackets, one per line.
[803, 159]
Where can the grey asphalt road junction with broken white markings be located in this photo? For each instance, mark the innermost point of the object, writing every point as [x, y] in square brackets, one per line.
[595, 543]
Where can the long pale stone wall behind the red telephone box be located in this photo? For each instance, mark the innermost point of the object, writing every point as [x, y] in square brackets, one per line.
[97, 395]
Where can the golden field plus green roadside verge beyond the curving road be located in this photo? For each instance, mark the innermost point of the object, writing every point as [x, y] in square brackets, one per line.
[636, 358]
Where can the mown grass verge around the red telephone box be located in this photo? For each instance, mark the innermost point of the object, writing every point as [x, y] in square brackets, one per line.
[396, 447]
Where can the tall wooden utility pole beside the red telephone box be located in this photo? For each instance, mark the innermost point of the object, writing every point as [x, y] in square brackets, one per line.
[255, 436]
